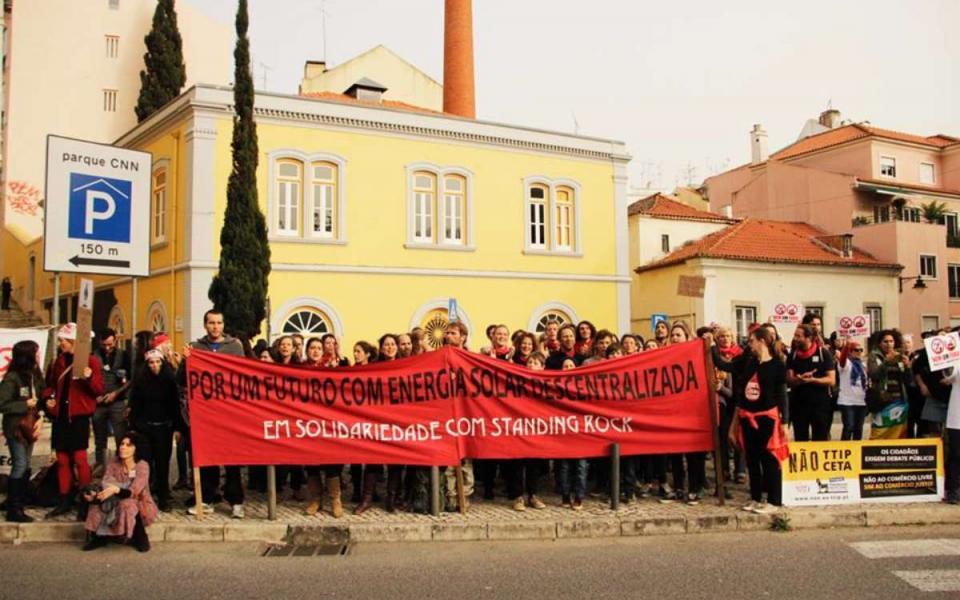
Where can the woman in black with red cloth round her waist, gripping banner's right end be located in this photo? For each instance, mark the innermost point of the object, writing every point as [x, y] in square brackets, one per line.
[758, 428]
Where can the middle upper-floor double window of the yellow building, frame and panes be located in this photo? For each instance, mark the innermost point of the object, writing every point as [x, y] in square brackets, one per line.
[440, 206]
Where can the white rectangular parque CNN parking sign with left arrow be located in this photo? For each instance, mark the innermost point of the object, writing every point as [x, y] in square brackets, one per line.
[97, 208]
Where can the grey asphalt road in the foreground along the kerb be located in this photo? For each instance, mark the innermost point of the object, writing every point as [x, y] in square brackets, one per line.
[805, 564]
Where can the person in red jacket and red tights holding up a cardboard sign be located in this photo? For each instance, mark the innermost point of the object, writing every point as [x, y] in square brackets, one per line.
[71, 401]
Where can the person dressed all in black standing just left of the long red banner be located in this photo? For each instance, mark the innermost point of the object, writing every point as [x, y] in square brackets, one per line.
[155, 413]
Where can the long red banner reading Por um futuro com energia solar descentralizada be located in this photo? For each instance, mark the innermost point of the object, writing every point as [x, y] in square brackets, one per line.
[439, 407]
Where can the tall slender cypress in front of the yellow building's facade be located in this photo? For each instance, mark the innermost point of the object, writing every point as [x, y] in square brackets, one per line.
[239, 290]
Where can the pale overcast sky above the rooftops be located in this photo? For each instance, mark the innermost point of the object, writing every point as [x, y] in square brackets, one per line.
[680, 82]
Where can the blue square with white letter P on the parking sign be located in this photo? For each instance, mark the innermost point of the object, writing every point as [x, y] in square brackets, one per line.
[99, 208]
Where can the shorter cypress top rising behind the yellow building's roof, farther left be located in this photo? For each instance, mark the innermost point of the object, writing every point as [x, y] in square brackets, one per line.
[165, 73]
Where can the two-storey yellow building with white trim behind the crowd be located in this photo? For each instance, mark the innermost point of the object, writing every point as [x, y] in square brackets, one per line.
[378, 216]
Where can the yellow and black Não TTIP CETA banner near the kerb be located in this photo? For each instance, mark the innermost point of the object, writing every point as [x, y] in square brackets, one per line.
[835, 472]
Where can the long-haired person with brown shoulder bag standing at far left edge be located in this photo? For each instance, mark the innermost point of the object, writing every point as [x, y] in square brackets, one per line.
[22, 385]
